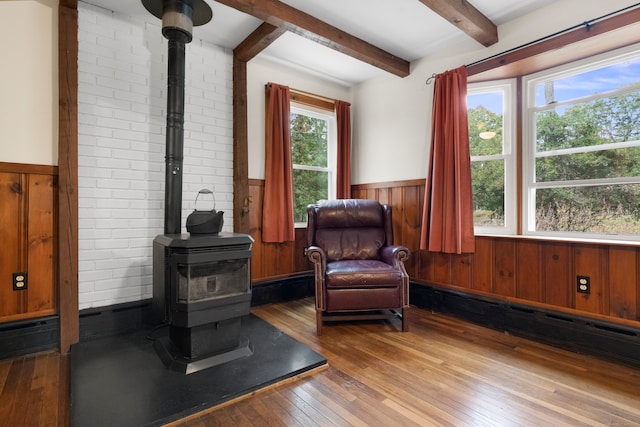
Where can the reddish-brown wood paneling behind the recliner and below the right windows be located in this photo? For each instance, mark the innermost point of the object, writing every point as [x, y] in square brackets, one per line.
[536, 272]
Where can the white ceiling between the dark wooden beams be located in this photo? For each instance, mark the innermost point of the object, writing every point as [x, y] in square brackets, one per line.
[405, 28]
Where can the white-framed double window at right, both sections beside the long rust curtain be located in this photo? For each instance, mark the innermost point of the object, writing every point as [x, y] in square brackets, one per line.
[579, 164]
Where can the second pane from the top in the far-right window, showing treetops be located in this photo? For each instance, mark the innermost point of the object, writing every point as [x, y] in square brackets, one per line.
[599, 122]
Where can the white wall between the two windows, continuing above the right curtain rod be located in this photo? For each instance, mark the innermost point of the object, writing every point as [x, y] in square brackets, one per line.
[392, 116]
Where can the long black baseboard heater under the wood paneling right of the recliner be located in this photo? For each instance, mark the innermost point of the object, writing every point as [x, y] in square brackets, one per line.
[580, 334]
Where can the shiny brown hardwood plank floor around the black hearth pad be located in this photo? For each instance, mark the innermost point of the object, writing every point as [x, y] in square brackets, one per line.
[442, 372]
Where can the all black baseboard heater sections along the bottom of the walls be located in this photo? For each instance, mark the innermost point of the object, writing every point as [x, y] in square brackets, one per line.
[606, 340]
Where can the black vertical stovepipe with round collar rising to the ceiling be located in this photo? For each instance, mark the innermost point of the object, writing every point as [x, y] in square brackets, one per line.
[178, 18]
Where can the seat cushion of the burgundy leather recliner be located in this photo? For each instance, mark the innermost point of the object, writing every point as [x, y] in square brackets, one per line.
[362, 274]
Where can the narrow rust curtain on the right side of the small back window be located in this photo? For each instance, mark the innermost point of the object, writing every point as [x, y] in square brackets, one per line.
[343, 178]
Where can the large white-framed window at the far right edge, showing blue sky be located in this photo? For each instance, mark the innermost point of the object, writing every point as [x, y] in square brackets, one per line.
[582, 149]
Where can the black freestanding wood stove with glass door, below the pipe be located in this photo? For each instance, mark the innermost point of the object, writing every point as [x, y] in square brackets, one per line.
[201, 289]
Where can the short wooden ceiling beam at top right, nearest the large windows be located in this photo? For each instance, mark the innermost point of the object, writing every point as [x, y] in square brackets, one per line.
[467, 18]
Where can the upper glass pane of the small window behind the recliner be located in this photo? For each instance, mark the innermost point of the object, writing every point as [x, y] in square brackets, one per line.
[308, 140]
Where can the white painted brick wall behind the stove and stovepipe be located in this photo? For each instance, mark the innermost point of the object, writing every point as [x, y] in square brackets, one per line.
[122, 81]
